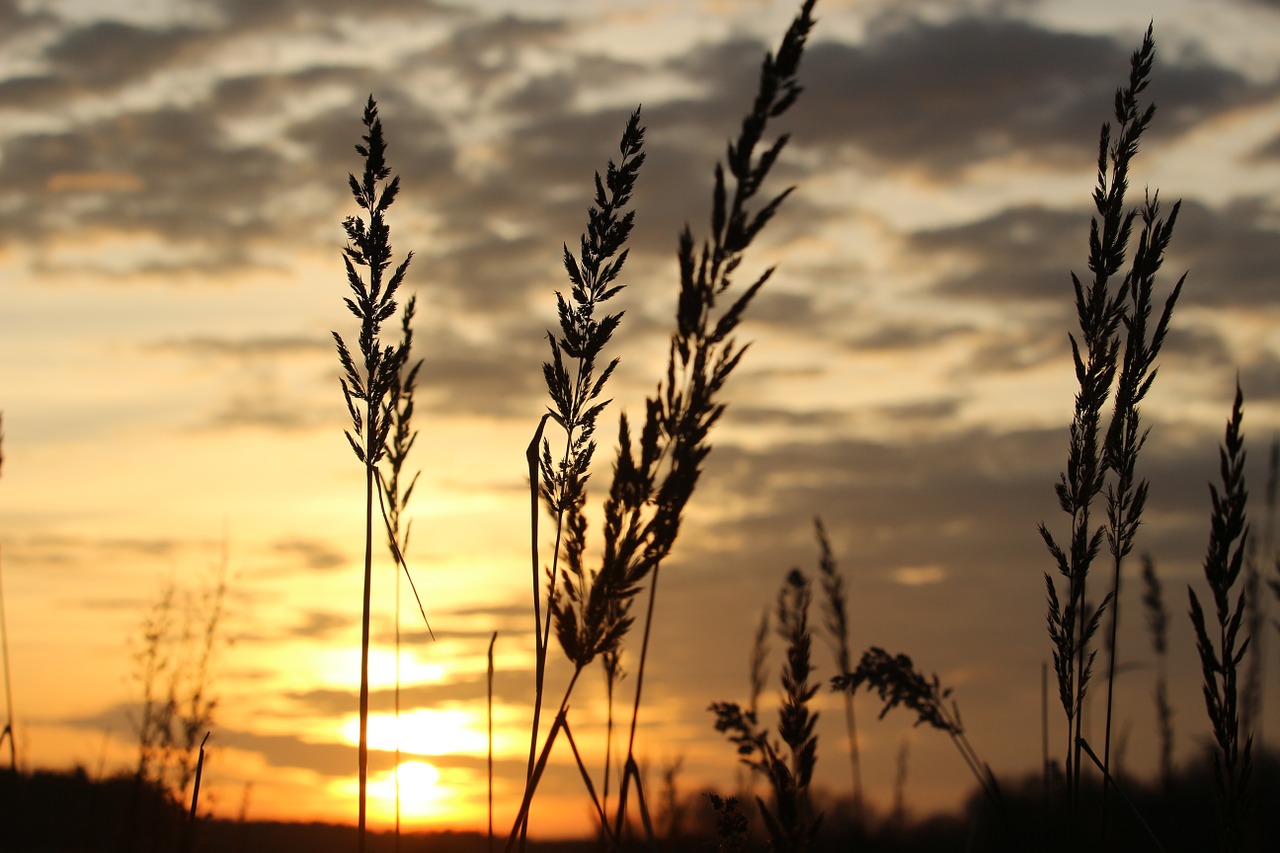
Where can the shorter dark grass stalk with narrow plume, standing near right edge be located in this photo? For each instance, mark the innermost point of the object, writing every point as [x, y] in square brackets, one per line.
[1220, 662]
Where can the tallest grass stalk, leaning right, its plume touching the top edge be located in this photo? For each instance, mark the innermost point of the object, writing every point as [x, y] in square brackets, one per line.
[702, 357]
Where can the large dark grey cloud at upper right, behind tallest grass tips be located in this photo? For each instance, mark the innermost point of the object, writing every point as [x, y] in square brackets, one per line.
[944, 97]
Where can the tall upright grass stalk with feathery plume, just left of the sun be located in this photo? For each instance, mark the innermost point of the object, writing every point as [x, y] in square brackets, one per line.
[367, 387]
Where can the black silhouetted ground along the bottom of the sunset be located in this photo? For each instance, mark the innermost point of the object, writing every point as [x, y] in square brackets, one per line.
[67, 813]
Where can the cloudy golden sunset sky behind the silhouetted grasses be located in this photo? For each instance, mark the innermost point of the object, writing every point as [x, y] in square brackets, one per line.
[172, 194]
